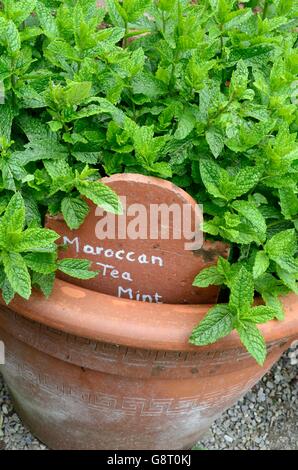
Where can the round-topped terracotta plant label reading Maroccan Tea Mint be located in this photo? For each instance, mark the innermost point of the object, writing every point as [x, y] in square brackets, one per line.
[152, 252]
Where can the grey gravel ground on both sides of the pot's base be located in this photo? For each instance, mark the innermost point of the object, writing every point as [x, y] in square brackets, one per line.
[266, 418]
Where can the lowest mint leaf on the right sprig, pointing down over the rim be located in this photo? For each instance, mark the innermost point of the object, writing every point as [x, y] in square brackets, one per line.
[253, 341]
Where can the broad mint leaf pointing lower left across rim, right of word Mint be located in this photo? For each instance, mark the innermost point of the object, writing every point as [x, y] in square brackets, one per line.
[215, 325]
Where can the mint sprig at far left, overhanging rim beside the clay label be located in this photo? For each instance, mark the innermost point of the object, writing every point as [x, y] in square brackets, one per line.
[29, 255]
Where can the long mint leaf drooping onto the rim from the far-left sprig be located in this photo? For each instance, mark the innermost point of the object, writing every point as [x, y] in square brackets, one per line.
[17, 274]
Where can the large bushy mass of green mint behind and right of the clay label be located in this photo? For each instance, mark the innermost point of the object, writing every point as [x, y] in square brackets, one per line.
[201, 93]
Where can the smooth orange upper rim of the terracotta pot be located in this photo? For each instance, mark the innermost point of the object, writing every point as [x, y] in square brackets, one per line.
[100, 317]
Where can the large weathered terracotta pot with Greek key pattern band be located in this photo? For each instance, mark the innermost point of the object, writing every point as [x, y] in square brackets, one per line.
[90, 371]
